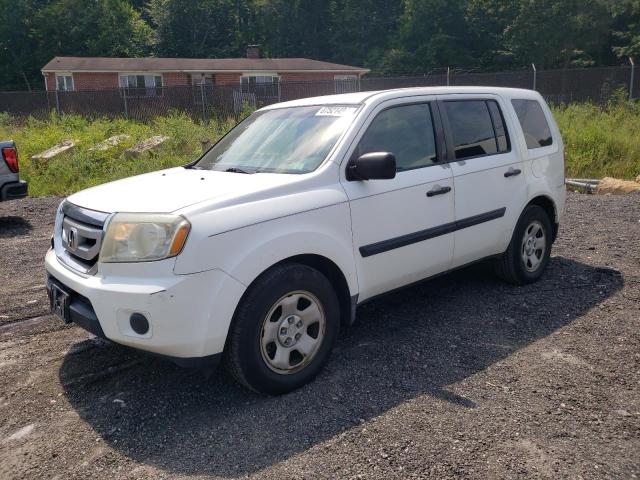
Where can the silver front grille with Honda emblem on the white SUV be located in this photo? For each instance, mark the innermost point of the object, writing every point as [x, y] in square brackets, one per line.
[81, 237]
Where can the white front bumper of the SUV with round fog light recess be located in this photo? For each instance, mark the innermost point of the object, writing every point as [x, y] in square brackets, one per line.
[189, 315]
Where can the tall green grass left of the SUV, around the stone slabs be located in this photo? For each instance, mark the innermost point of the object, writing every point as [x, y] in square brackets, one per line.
[80, 167]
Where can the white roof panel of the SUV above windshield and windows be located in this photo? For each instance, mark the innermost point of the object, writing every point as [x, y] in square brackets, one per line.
[382, 95]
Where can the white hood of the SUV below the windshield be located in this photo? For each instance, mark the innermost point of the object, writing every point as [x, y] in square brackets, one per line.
[170, 190]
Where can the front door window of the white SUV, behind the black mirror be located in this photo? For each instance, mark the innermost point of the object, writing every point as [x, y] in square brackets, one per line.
[405, 131]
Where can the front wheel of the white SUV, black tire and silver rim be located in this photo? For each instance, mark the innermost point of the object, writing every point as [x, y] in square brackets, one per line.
[271, 346]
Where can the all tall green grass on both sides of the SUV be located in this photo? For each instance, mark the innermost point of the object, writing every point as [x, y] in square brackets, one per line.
[599, 141]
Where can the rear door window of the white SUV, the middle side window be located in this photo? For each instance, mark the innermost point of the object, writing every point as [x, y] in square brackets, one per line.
[477, 128]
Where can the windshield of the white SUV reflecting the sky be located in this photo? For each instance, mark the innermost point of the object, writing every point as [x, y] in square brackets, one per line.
[284, 140]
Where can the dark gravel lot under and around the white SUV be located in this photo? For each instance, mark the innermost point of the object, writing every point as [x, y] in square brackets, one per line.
[461, 376]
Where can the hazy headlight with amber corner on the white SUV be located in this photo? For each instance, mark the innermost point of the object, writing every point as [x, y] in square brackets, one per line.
[143, 237]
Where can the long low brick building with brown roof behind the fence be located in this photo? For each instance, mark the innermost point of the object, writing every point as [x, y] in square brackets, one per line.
[148, 76]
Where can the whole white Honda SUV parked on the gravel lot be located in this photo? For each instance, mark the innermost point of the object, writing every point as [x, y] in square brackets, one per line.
[260, 251]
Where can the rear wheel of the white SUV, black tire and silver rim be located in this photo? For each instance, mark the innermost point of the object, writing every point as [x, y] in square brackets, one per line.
[525, 259]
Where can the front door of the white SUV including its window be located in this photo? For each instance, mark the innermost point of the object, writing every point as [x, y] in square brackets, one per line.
[400, 225]
